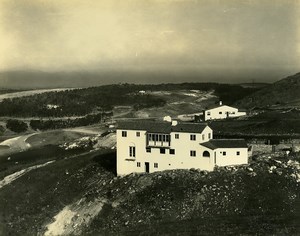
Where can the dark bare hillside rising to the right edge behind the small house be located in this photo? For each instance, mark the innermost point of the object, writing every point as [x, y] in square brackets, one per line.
[282, 92]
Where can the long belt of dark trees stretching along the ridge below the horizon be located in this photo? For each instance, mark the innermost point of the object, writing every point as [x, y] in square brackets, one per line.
[80, 102]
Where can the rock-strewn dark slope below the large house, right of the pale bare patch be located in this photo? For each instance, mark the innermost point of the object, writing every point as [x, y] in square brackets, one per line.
[228, 201]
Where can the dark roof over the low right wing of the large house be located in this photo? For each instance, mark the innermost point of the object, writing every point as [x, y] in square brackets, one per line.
[225, 143]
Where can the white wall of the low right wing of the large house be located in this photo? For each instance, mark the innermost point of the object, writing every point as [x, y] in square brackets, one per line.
[231, 157]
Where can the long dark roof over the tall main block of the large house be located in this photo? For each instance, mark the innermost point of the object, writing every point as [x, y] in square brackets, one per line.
[161, 126]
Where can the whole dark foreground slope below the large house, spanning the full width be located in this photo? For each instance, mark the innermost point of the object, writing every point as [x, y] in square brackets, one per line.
[262, 198]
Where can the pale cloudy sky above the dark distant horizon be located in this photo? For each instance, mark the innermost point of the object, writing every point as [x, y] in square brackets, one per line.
[245, 40]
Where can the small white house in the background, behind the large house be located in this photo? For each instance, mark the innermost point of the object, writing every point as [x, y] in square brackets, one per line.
[222, 112]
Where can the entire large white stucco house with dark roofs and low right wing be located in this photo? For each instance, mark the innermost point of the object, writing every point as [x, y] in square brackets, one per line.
[149, 146]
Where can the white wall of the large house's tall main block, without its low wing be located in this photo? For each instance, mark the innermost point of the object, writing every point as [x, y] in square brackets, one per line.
[167, 161]
